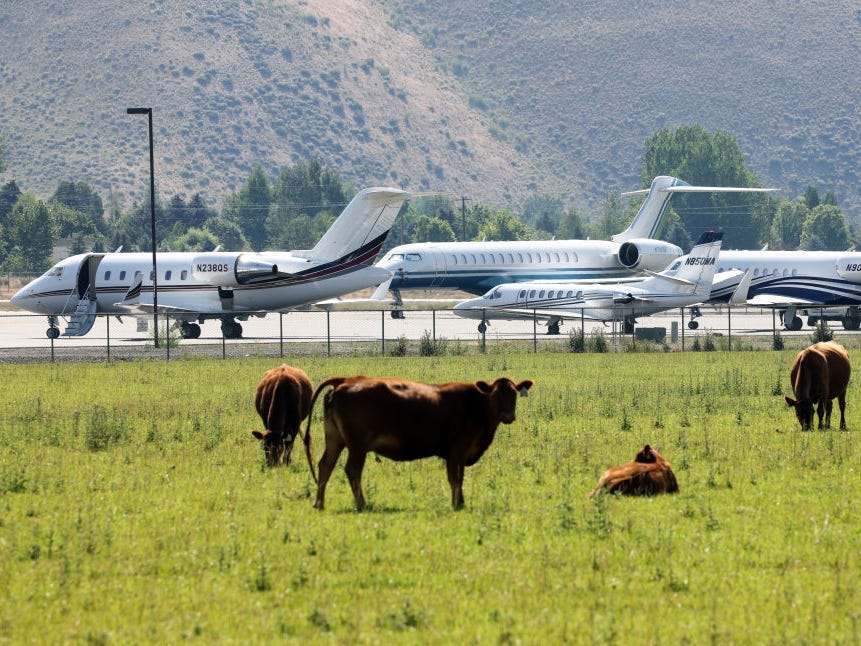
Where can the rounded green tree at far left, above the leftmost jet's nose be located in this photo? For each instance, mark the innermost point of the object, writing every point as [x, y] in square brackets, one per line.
[31, 234]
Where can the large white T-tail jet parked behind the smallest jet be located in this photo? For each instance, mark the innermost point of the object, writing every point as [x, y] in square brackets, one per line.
[475, 267]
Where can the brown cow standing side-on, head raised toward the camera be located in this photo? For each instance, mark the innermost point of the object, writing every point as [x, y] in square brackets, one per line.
[408, 420]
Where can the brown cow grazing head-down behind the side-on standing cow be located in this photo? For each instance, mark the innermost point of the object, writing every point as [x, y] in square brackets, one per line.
[283, 400]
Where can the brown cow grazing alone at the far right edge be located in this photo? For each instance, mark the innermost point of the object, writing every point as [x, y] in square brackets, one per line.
[819, 374]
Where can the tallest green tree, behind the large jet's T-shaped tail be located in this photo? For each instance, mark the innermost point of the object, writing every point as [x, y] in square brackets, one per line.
[698, 157]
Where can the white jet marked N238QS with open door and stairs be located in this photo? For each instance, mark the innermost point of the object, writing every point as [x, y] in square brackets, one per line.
[228, 286]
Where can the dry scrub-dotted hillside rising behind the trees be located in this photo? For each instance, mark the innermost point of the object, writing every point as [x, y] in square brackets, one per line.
[488, 100]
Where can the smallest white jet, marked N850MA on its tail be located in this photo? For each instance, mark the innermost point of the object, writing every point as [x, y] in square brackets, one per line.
[555, 301]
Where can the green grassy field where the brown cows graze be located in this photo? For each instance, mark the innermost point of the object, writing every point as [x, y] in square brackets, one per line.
[134, 508]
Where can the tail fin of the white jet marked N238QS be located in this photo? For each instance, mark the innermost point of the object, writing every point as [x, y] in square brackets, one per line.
[362, 226]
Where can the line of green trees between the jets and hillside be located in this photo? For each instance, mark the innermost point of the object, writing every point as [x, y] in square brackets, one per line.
[293, 211]
